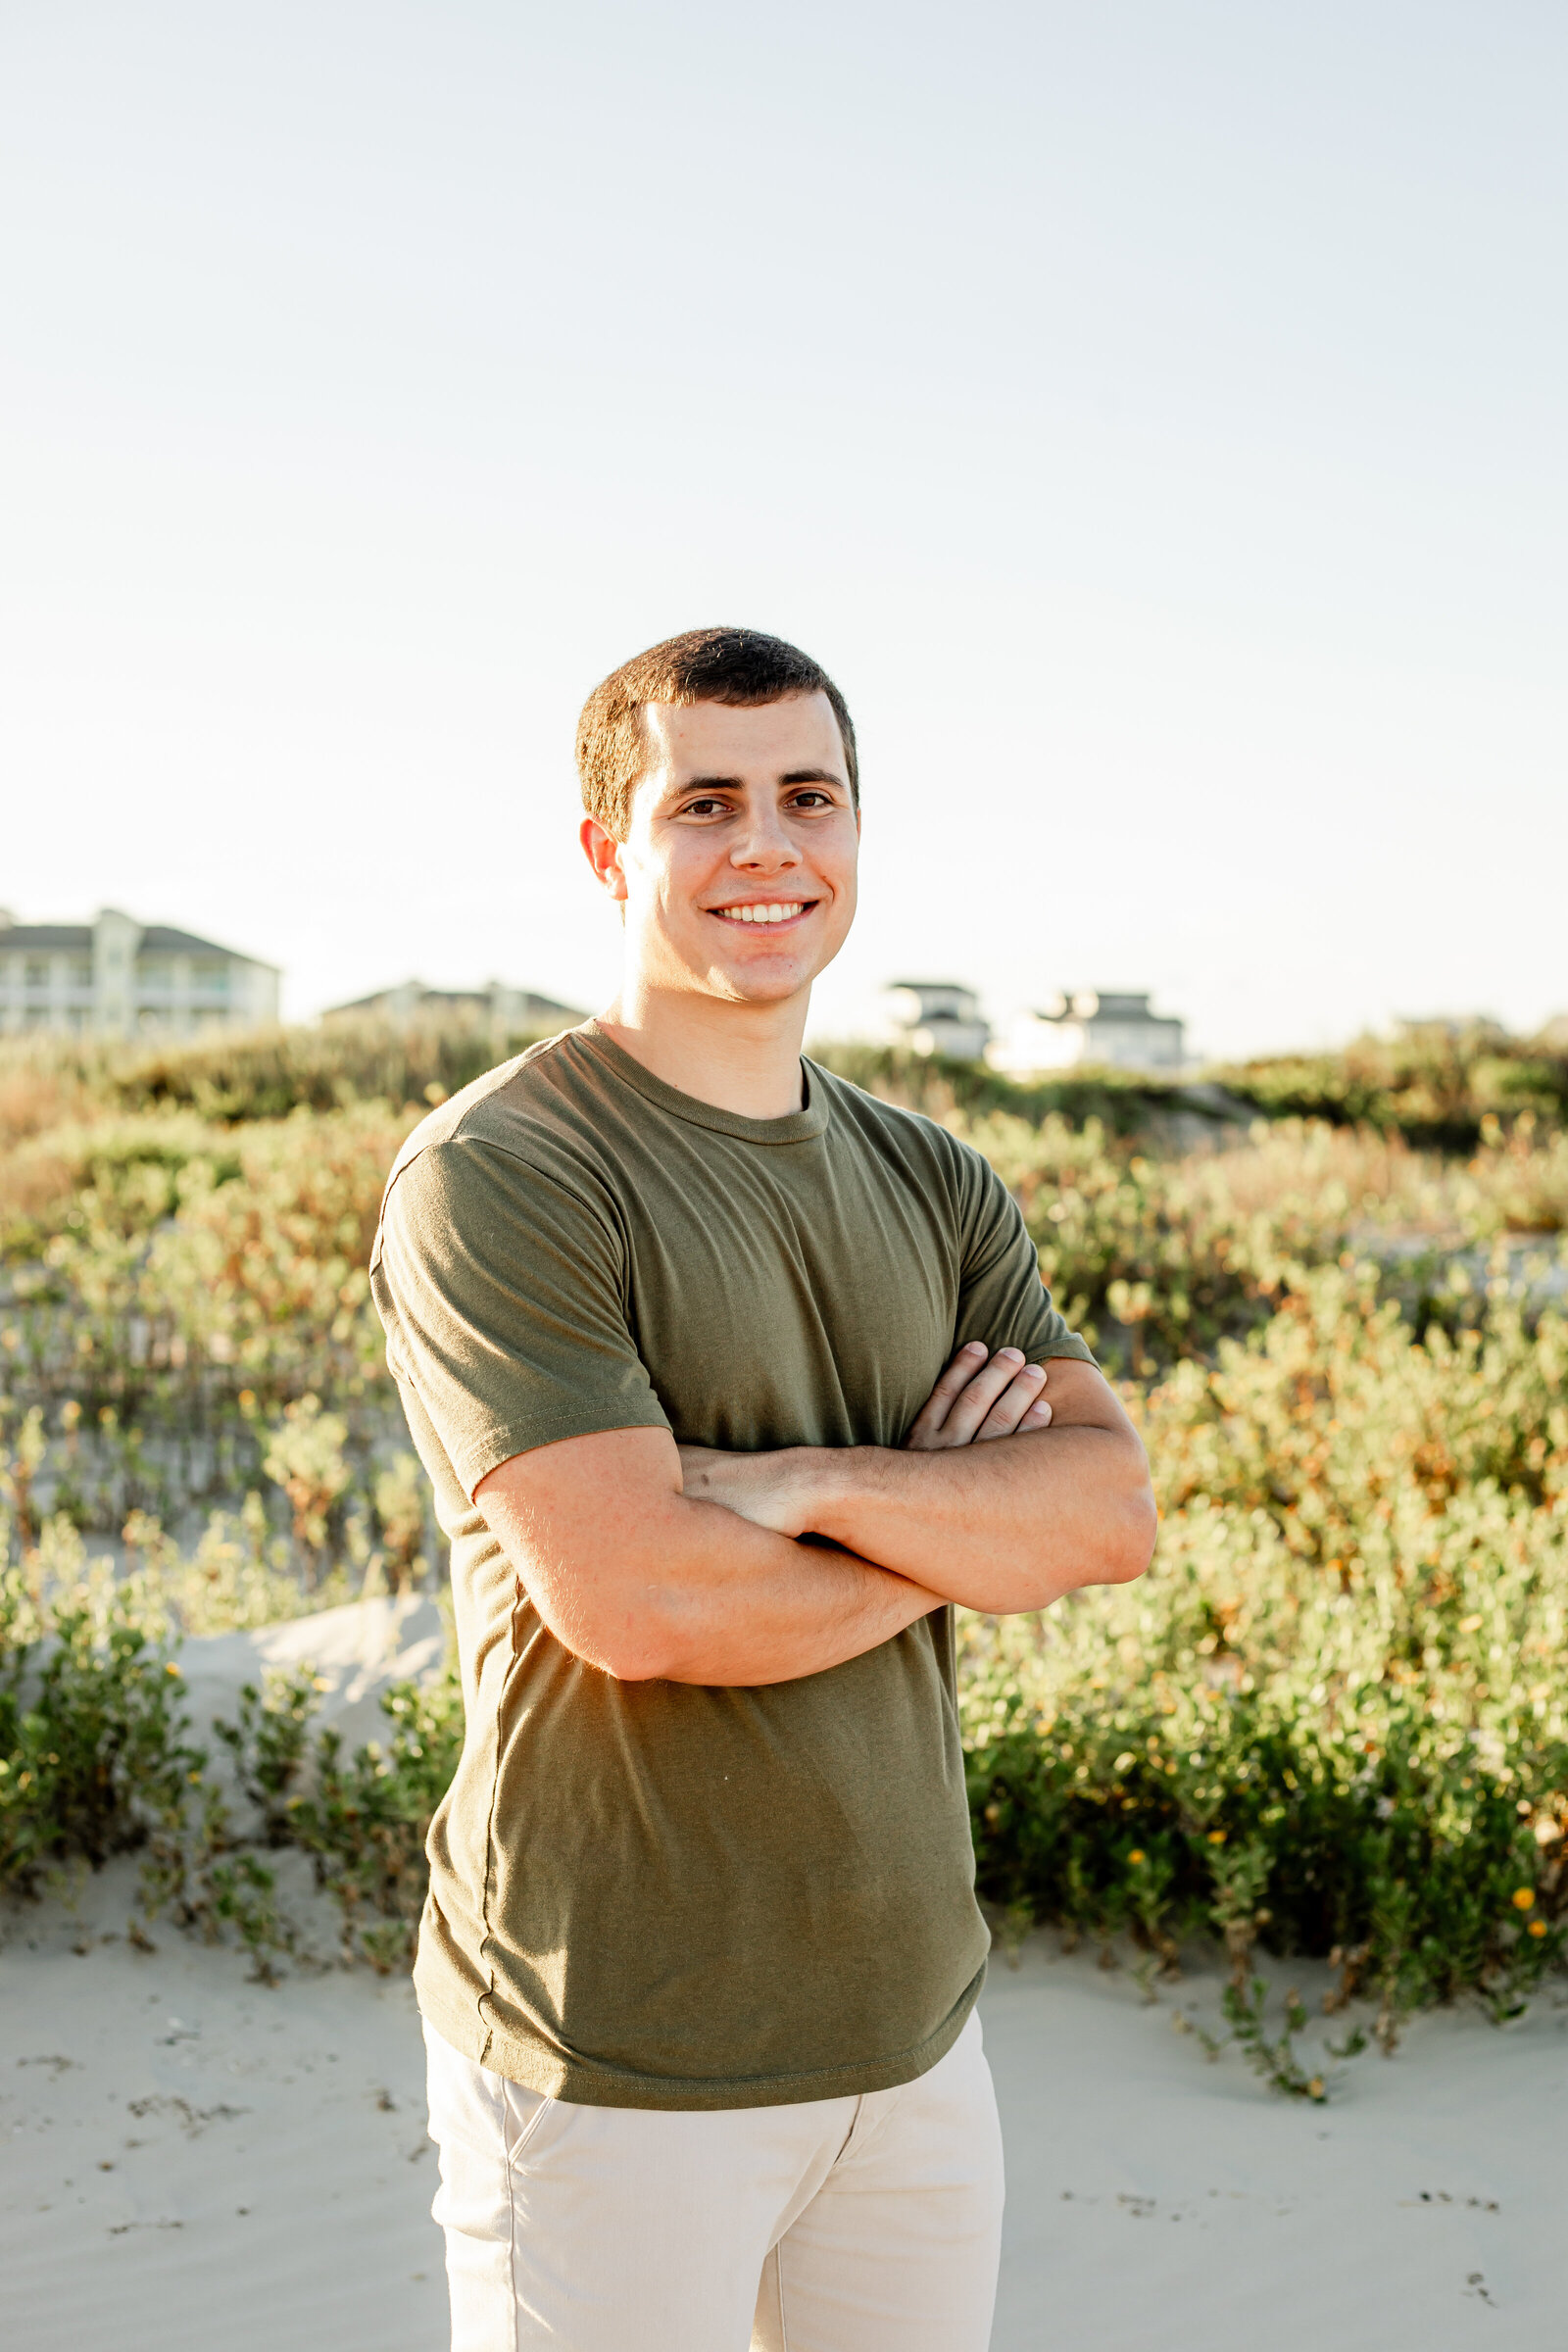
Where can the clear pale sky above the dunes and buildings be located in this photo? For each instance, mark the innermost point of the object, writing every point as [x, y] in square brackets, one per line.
[1153, 415]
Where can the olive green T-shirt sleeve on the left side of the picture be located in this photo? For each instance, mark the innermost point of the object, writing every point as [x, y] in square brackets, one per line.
[502, 1295]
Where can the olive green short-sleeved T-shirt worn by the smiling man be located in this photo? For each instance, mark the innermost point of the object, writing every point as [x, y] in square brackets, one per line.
[652, 1895]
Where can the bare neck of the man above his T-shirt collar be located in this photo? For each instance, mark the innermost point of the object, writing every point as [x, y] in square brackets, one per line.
[735, 1057]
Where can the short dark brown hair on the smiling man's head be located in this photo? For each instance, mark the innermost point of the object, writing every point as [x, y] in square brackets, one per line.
[702, 667]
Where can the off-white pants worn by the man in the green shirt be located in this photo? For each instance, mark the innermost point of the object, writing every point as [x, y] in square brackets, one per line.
[833, 2226]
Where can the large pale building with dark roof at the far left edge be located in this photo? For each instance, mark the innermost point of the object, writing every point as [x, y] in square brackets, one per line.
[123, 977]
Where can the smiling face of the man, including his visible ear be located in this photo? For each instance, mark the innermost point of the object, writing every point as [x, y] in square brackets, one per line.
[739, 867]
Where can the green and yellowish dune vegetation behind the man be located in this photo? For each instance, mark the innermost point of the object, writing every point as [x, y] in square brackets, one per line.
[1332, 1723]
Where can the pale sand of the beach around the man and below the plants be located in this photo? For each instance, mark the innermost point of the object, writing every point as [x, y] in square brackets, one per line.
[194, 2158]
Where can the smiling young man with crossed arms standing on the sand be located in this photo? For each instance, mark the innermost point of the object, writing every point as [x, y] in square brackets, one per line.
[676, 1316]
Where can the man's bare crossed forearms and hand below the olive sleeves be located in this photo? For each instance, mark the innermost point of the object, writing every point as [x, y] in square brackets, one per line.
[685, 1565]
